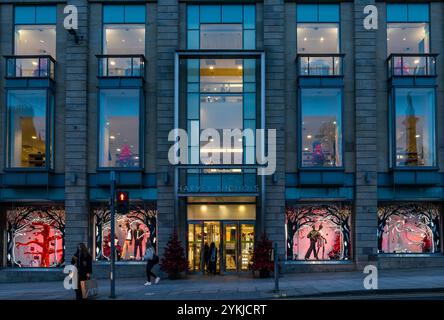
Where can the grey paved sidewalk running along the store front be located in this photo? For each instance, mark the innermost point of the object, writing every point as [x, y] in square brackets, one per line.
[231, 287]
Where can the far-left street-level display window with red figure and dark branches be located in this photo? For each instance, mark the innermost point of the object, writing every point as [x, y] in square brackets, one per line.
[35, 236]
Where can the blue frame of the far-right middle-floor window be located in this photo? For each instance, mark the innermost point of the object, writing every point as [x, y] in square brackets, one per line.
[392, 130]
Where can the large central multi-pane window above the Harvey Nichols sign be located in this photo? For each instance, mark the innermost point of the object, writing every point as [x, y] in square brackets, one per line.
[221, 96]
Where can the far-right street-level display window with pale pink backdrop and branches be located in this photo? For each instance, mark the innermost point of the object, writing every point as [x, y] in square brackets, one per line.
[408, 228]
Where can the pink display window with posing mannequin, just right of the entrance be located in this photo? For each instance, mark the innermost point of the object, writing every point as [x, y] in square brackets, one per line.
[318, 232]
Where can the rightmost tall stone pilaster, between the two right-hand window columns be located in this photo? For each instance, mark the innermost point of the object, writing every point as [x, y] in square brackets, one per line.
[365, 222]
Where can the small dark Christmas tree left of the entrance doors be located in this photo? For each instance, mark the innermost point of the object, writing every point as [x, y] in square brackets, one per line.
[173, 261]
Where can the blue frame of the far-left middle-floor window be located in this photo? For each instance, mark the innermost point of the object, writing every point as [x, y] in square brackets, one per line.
[49, 132]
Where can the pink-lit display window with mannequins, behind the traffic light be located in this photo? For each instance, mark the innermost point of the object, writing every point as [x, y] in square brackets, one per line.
[132, 232]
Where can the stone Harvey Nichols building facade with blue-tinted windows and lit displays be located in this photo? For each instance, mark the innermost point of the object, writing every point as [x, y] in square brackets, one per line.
[358, 117]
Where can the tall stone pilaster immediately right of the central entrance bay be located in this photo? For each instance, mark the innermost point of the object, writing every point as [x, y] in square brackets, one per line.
[274, 46]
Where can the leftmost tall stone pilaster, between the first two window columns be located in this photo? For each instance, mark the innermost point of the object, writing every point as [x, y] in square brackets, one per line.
[76, 142]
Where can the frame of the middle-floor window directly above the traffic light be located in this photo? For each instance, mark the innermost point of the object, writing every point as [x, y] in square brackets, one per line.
[140, 135]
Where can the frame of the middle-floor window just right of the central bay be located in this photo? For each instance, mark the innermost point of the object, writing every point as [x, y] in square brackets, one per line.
[299, 132]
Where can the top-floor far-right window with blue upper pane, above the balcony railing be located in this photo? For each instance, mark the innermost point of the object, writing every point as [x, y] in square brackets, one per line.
[408, 28]
